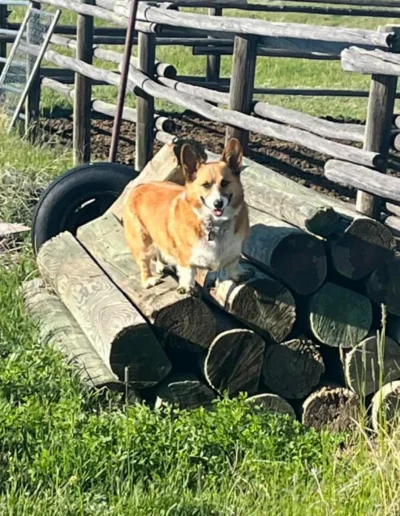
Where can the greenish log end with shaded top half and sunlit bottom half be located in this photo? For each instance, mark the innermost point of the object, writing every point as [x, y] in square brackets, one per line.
[339, 317]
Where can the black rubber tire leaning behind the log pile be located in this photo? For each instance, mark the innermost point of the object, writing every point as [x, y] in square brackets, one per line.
[77, 197]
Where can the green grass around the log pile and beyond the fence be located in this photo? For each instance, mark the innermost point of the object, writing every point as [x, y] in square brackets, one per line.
[65, 451]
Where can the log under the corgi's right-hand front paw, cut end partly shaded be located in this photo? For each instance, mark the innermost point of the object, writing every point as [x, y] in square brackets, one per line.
[262, 303]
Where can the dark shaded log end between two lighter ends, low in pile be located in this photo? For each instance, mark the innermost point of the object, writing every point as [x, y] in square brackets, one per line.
[292, 369]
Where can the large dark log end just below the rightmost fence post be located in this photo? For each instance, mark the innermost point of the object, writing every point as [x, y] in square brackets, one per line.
[363, 247]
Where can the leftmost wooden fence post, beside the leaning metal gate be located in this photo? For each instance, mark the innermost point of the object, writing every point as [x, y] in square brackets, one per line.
[32, 104]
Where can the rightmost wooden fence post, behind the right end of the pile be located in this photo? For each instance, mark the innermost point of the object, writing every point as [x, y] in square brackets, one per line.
[382, 98]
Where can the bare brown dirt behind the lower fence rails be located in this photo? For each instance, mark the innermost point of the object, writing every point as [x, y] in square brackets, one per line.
[302, 165]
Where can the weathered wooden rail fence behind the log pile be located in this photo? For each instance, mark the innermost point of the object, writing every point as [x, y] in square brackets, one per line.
[362, 51]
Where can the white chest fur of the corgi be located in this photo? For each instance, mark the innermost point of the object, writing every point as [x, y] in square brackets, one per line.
[216, 250]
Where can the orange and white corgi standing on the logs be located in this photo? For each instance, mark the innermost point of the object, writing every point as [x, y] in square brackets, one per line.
[201, 225]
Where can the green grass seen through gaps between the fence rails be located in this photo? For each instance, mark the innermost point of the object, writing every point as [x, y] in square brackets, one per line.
[270, 72]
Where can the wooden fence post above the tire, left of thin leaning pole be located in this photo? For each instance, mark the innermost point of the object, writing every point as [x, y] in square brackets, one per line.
[83, 89]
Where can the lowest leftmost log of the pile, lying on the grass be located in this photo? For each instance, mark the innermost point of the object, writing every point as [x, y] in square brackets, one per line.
[60, 330]
